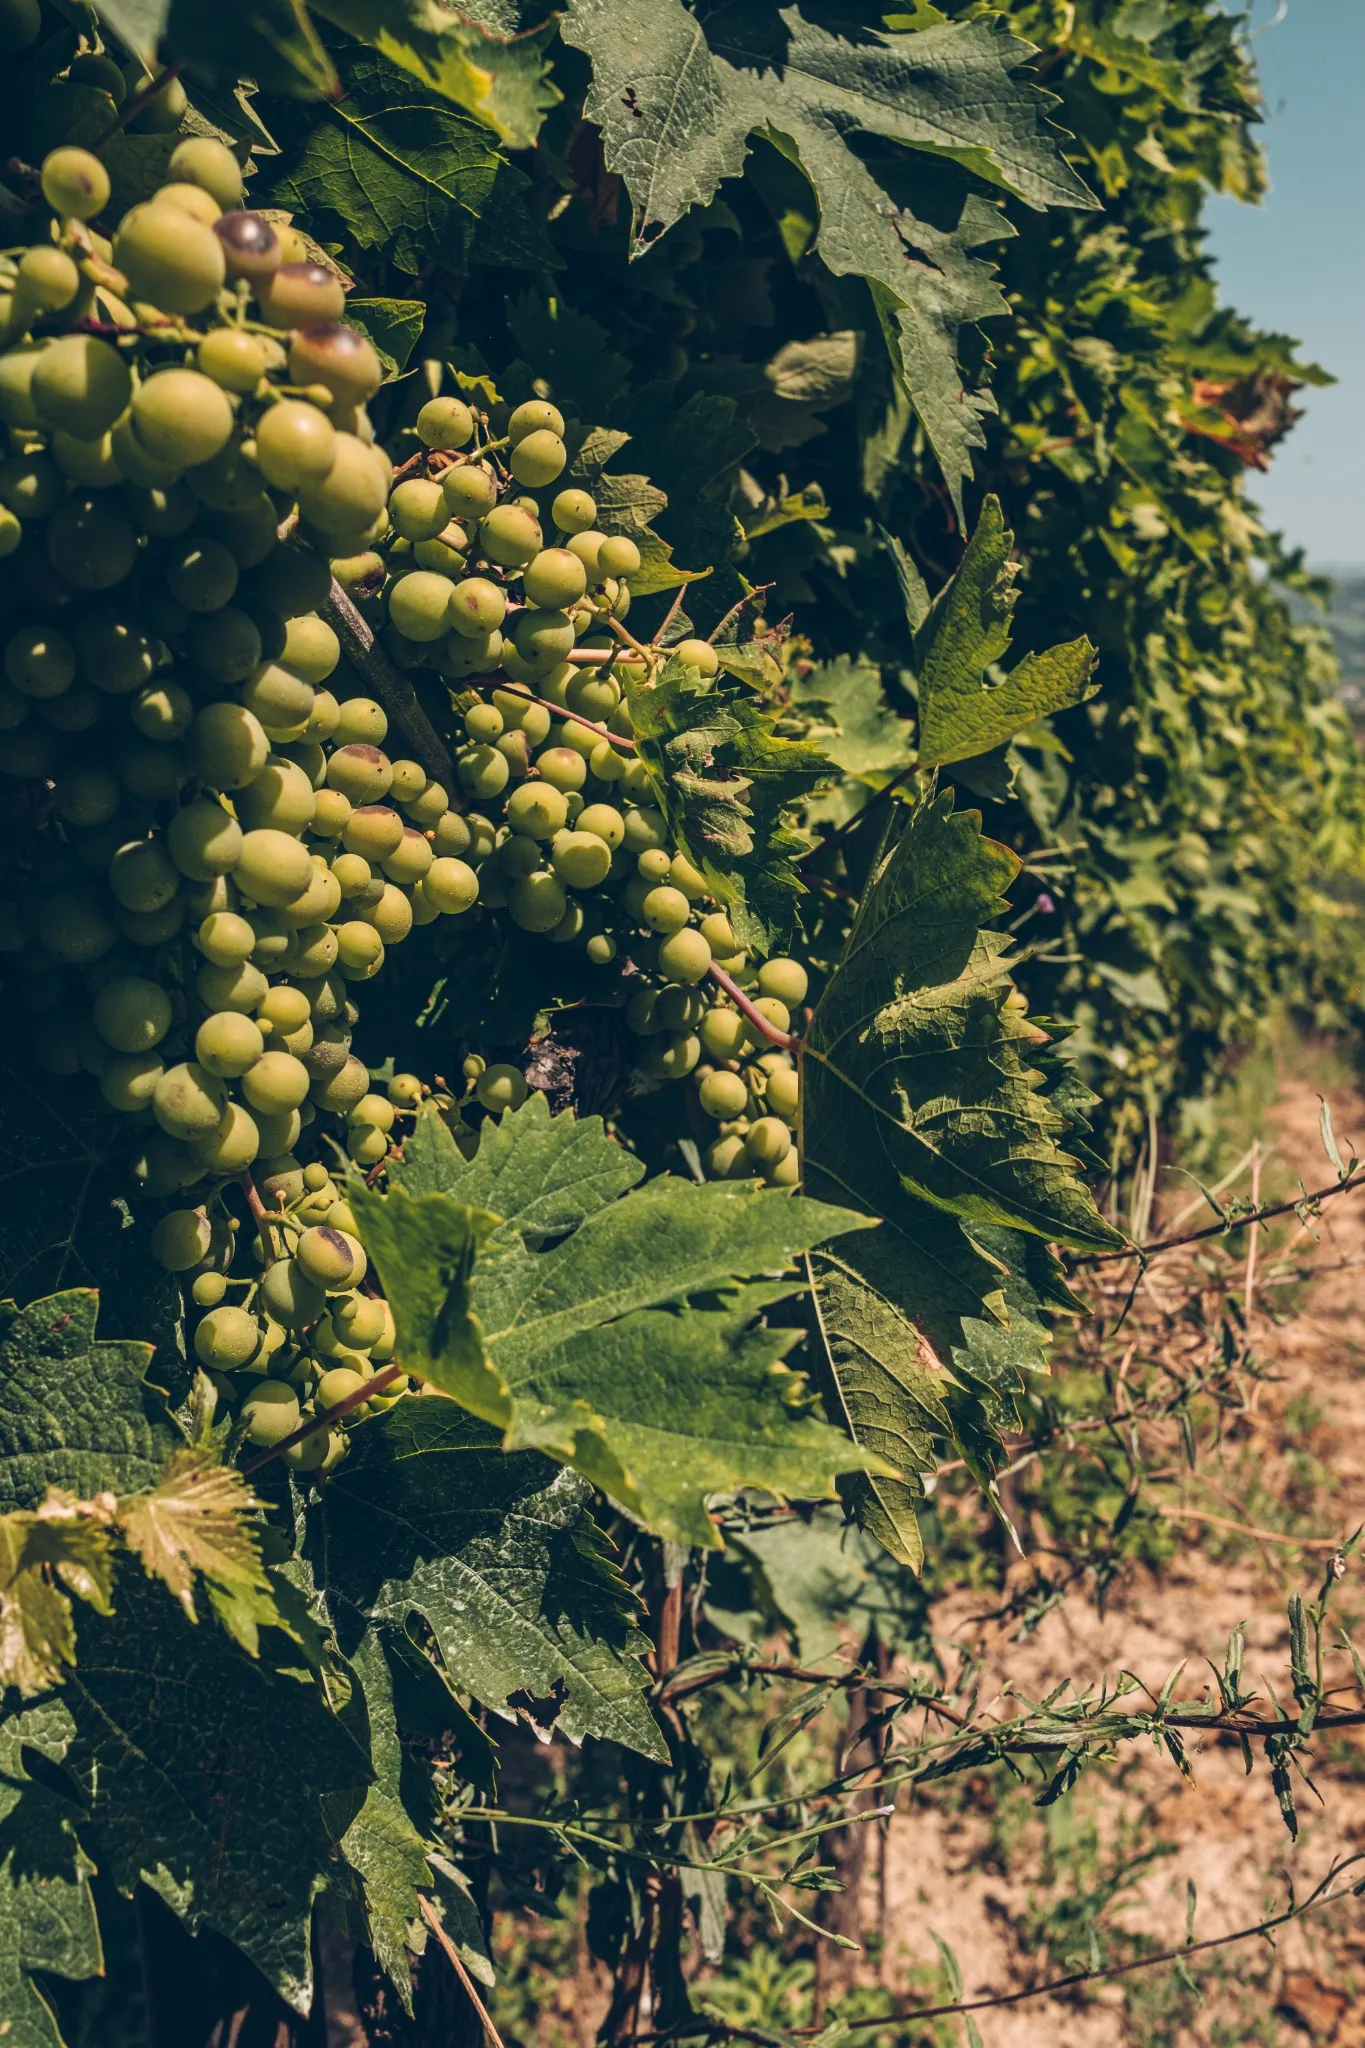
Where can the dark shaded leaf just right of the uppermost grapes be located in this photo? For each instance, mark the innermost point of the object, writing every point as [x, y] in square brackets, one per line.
[402, 171]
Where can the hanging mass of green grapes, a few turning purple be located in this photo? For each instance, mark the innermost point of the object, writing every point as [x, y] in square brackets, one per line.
[220, 839]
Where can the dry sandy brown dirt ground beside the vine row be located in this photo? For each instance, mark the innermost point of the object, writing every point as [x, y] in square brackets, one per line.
[971, 1873]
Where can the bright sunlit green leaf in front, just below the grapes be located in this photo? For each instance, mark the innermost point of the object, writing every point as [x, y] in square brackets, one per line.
[586, 1349]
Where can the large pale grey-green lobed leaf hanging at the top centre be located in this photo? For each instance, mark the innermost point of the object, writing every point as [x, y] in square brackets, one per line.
[678, 101]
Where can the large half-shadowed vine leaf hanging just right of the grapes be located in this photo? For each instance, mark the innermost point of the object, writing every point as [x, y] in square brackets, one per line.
[924, 1105]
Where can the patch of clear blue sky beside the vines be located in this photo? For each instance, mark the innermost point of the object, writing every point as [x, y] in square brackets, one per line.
[1298, 263]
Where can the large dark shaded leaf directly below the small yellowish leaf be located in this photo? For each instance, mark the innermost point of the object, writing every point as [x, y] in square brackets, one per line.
[179, 1744]
